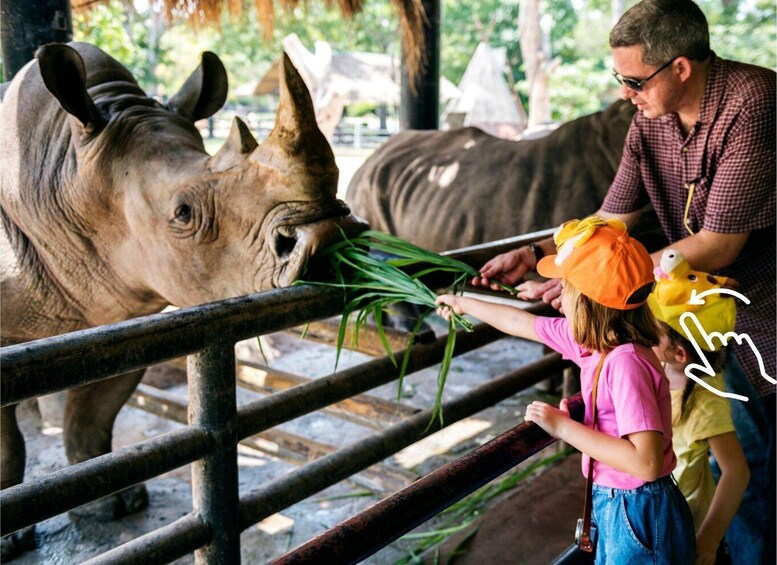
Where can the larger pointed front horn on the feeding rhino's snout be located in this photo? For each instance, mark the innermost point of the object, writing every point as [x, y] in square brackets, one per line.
[296, 147]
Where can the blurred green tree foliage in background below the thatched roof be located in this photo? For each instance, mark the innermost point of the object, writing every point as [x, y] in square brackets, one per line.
[740, 29]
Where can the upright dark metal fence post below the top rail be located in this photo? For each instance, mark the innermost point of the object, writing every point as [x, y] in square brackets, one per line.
[212, 407]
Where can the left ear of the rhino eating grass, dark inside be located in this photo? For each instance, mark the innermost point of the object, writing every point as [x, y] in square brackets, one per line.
[64, 75]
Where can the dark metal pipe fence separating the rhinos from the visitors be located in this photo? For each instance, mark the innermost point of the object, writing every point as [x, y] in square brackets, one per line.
[216, 423]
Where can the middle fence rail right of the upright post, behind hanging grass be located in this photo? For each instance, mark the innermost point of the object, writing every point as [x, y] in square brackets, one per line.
[264, 413]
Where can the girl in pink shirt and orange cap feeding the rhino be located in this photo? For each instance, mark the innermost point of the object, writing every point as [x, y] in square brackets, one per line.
[640, 514]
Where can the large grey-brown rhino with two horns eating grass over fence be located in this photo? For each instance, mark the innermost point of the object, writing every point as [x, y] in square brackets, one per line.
[112, 209]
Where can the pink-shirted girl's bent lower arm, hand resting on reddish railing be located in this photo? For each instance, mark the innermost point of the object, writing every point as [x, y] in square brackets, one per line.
[639, 454]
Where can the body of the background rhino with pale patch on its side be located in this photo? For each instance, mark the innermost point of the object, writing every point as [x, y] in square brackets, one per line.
[446, 190]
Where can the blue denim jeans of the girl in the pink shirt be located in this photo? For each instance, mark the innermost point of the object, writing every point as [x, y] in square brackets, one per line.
[650, 524]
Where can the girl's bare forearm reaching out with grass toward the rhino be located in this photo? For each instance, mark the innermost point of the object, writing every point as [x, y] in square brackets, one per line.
[510, 320]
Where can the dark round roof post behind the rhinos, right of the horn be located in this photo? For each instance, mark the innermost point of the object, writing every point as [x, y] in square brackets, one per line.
[421, 109]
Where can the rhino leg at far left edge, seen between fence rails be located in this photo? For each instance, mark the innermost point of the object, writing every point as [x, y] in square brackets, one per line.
[12, 456]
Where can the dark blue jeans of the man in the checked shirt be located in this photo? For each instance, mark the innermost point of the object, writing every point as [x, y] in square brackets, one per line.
[750, 537]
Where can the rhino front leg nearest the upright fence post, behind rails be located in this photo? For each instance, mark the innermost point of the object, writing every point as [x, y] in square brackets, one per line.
[90, 412]
